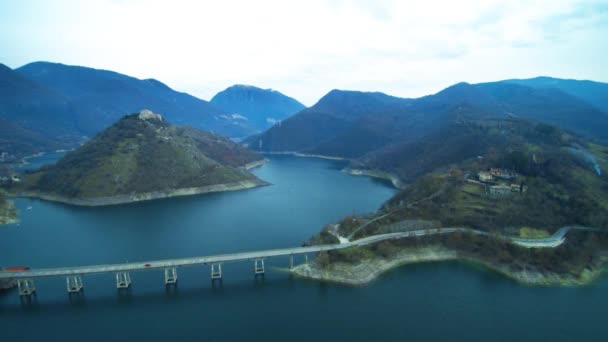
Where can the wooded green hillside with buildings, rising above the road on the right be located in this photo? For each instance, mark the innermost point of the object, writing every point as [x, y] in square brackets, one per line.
[563, 175]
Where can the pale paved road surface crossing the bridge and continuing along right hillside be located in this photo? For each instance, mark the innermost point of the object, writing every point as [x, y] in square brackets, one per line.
[553, 241]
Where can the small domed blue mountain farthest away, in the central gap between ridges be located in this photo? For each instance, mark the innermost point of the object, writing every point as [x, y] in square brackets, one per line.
[258, 108]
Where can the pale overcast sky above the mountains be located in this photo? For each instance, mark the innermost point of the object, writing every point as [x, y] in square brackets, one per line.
[304, 49]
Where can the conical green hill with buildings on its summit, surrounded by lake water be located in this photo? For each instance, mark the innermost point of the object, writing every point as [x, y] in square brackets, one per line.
[142, 157]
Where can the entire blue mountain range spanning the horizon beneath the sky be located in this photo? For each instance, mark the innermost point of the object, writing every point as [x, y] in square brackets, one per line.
[46, 106]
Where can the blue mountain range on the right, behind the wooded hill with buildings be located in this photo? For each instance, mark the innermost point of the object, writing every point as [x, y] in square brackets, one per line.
[379, 131]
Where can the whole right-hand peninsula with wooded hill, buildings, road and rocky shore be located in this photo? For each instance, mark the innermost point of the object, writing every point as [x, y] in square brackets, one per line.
[525, 182]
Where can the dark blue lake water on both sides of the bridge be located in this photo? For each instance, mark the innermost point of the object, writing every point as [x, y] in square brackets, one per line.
[443, 301]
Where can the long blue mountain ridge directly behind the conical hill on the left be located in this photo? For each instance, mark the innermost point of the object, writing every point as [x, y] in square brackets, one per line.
[100, 97]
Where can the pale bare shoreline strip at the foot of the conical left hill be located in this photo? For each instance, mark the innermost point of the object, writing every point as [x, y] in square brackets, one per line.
[147, 196]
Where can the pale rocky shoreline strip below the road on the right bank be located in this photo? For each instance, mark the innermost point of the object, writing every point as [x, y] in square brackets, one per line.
[366, 271]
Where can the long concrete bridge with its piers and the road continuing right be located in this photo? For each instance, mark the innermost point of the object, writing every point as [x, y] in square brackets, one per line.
[74, 282]
